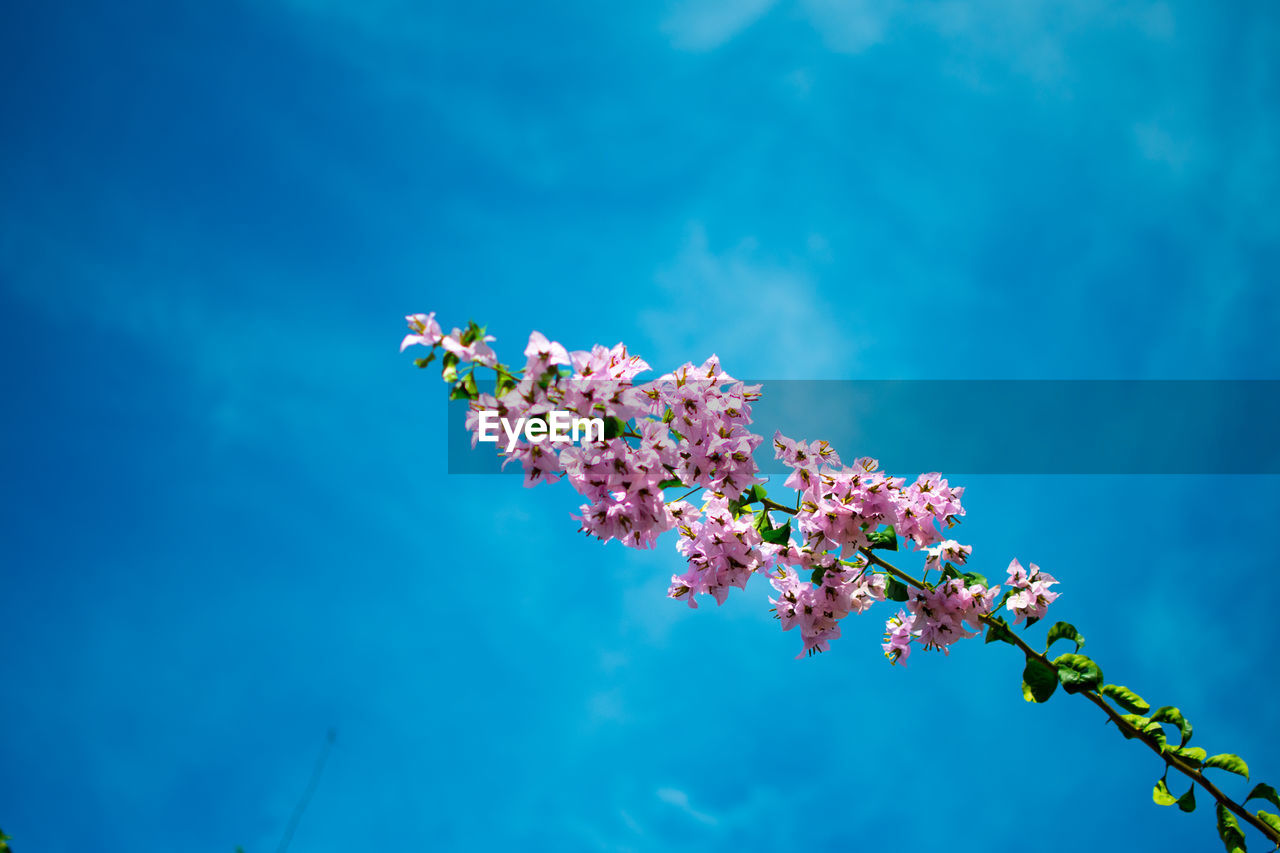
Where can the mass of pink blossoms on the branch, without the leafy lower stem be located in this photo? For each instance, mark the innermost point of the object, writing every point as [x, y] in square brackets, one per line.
[691, 430]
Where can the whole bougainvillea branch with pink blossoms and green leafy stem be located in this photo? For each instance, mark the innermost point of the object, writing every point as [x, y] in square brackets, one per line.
[688, 430]
